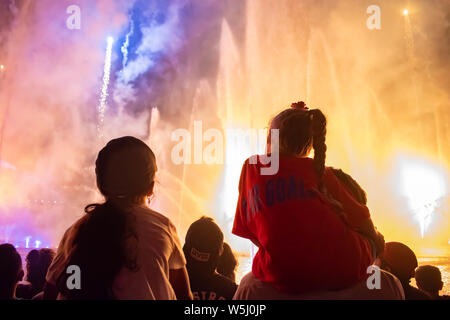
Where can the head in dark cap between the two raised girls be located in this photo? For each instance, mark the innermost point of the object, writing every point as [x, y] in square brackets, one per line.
[203, 245]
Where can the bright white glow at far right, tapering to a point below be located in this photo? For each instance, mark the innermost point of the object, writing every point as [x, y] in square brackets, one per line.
[423, 185]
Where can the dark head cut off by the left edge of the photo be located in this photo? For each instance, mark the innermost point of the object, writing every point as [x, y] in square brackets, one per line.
[10, 266]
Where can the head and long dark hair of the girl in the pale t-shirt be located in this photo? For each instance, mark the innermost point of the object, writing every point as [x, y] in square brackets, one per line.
[103, 243]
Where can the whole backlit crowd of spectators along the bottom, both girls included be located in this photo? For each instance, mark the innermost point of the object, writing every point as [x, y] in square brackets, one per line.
[310, 223]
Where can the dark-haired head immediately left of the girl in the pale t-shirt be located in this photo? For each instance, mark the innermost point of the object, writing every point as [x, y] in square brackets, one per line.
[38, 262]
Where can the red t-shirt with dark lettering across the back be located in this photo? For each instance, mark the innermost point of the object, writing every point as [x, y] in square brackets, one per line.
[303, 244]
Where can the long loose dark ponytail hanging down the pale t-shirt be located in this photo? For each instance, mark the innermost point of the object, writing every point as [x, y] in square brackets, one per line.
[100, 250]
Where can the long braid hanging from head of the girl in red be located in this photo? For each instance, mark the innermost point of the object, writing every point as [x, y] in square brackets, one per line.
[319, 130]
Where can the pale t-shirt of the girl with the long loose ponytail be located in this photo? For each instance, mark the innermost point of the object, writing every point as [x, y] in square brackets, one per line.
[158, 251]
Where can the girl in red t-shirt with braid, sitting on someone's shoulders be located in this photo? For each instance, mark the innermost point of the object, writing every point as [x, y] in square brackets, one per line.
[311, 233]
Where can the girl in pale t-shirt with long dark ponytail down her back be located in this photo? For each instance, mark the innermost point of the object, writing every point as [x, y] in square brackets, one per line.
[121, 248]
